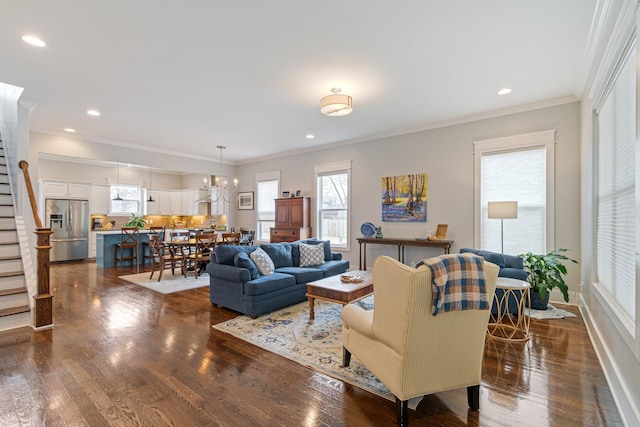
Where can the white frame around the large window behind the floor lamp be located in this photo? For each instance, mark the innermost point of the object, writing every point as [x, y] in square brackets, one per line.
[509, 143]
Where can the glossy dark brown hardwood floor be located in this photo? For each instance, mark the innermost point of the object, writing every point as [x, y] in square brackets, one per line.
[120, 354]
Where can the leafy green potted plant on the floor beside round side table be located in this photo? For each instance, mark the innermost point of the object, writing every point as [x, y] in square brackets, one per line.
[545, 272]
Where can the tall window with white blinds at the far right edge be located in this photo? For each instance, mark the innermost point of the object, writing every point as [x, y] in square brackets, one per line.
[615, 177]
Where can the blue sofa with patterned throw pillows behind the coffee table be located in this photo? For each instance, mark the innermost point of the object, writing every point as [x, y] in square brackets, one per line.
[236, 284]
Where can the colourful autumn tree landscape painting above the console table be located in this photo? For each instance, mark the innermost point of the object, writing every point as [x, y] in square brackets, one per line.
[404, 198]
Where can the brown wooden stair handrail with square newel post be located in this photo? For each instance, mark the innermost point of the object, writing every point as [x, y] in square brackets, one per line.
[43, 300]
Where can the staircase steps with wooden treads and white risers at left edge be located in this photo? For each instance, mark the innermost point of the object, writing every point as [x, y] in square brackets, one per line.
[14, 298]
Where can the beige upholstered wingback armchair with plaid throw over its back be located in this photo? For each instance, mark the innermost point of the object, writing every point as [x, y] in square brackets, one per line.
[412, 352]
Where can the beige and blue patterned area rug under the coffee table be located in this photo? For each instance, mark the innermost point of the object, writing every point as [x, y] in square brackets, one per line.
[316, 344]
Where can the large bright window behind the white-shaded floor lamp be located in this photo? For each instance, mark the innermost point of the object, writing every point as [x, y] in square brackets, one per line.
[517, 168]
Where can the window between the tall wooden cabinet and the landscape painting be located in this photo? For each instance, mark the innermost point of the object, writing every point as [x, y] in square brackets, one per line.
[333, 184]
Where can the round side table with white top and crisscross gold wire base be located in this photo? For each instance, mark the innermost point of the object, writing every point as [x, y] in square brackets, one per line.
[506, 326]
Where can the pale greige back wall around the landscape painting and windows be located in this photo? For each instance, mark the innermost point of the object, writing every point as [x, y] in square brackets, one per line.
[446, 155]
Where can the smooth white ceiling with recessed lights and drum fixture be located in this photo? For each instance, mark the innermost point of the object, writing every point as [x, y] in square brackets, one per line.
[186, 76]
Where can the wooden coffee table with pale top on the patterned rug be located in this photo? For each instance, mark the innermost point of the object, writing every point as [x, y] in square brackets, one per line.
[332, 289]
